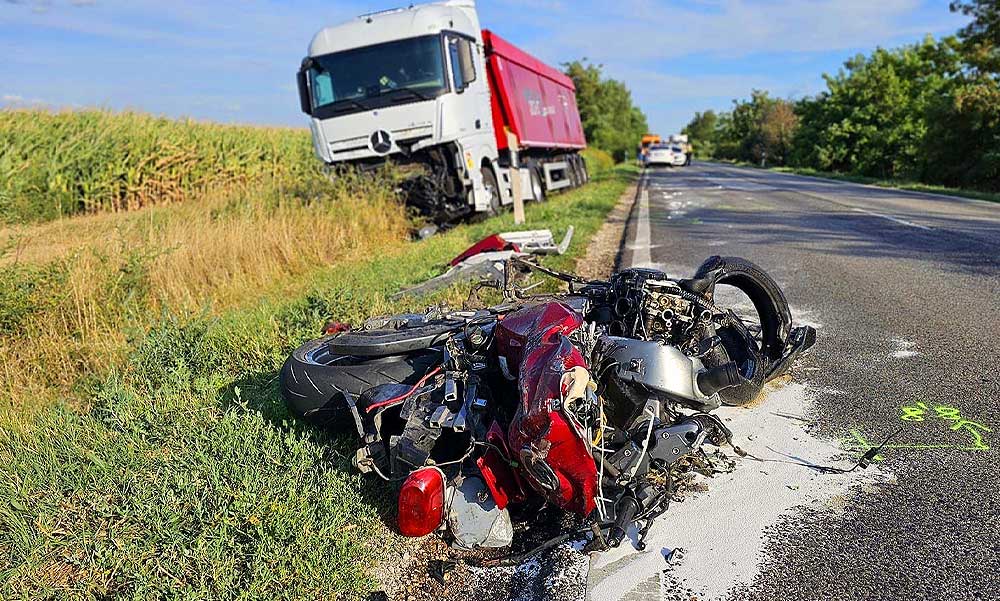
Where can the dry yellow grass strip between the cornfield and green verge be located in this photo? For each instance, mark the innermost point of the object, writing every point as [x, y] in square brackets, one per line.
[74, 291]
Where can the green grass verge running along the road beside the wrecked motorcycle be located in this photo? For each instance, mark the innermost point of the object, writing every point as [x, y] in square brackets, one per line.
[184, 477]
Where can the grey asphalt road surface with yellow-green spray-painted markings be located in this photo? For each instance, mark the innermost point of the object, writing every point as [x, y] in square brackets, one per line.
[906, 290]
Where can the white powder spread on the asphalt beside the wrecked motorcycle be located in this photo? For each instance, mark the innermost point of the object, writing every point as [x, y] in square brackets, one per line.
[744, 505]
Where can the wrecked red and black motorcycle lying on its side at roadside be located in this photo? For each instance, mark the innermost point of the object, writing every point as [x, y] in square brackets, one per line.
[589, 400]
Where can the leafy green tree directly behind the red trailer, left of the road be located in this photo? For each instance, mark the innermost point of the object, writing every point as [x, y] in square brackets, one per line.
[611, 121]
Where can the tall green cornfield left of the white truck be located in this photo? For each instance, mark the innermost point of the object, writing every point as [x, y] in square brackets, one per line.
[56, 164]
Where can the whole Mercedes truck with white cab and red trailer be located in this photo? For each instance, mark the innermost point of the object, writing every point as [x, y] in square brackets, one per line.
[425, 86]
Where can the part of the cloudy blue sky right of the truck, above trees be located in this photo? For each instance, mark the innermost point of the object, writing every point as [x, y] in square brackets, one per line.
[678, 57]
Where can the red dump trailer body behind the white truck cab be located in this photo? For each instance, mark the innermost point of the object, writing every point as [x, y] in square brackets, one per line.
[533, 100]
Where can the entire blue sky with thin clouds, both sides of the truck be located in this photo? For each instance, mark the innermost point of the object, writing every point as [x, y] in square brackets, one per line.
[235, 61]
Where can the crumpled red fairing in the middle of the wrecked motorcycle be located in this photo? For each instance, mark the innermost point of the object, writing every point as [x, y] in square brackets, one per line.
[554, 456]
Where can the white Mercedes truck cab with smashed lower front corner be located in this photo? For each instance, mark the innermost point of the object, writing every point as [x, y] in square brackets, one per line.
[410, 84]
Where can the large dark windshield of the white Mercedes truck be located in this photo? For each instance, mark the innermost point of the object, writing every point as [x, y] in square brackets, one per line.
[375, 76]
